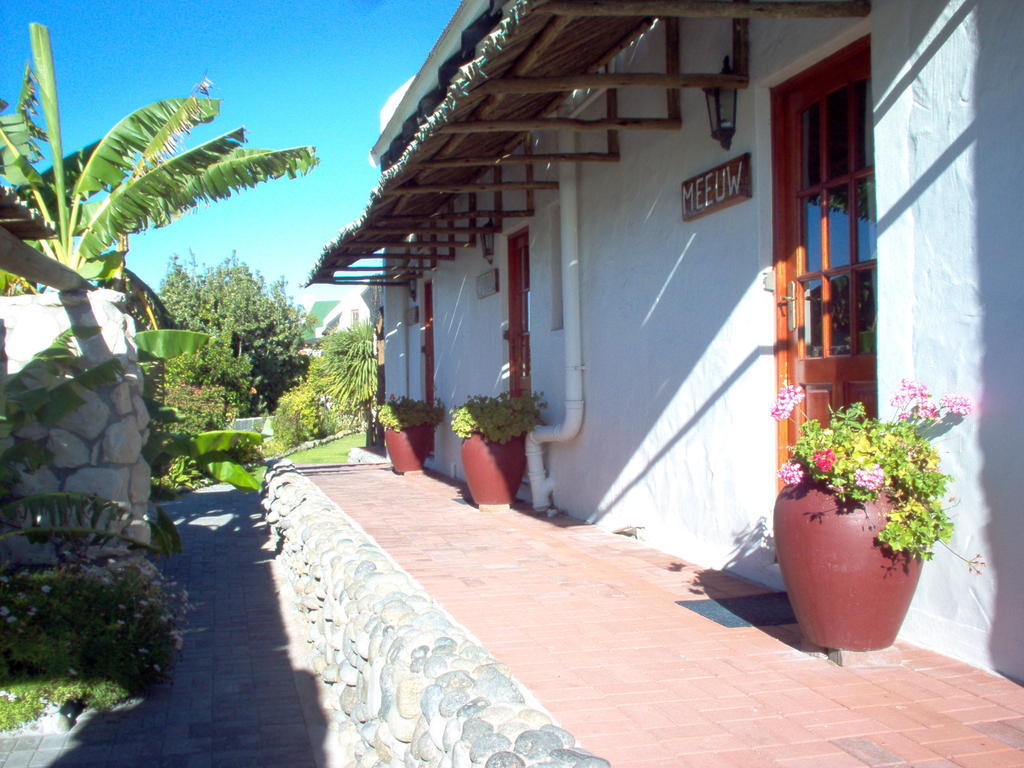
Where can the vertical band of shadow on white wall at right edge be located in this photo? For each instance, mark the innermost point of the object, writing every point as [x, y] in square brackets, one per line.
[999, 168]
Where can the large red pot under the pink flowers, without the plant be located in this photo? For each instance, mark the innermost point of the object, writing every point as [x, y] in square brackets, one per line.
[847, 590]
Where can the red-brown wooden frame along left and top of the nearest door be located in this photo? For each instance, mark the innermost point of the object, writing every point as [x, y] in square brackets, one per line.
[784, 219]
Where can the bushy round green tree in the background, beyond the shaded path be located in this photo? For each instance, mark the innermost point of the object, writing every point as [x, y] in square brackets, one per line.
[252, 319]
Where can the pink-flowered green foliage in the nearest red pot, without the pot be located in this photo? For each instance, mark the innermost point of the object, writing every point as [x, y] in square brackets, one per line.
[860, 459]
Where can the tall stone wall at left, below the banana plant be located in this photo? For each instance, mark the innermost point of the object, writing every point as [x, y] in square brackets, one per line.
[98, 448]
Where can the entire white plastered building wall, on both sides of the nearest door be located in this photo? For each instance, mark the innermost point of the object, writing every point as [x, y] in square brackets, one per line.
[678, 328]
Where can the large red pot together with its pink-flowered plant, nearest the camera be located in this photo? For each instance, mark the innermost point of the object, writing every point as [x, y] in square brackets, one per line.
[862, 509]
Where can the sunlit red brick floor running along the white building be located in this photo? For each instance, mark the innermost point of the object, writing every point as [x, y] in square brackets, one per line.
[588, 621]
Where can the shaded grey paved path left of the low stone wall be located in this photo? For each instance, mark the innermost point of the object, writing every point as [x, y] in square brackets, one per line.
[236, 700]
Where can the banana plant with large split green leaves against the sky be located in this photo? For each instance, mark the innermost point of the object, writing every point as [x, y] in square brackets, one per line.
[138, 177]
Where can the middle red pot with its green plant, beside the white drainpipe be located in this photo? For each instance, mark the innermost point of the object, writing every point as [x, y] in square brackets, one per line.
[494, 455]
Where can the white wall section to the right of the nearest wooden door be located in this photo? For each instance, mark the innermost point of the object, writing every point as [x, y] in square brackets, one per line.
[949, 120]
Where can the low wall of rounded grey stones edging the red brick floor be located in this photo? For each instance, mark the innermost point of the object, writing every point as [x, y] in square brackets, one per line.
[410, 689]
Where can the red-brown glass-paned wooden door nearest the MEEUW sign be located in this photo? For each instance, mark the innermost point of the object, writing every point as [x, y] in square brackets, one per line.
[825, 236]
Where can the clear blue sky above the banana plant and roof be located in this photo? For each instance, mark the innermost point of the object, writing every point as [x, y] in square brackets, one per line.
[307, 73]
